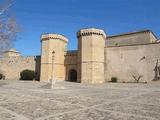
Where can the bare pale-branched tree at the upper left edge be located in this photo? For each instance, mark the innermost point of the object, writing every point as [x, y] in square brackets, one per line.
[8, 26]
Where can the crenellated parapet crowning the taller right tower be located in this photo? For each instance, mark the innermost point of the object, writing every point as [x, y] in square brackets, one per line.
[91, 31]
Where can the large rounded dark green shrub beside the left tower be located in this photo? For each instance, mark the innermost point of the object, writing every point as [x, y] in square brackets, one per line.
[27, 75]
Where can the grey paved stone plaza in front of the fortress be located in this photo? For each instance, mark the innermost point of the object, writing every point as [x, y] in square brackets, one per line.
[20, 100]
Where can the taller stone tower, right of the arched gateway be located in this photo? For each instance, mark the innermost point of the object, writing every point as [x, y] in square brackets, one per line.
[91, 44]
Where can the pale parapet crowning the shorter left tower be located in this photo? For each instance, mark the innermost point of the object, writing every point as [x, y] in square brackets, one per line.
[53, 36]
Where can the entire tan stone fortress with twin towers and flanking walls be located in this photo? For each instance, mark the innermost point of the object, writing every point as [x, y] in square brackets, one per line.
[99, 58]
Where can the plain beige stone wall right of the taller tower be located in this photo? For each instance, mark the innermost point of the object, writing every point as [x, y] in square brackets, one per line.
[127, 61]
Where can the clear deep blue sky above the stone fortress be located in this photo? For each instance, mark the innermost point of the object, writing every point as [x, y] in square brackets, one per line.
[66, 17]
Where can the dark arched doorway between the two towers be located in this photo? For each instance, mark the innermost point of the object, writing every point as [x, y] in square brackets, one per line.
[72, 75]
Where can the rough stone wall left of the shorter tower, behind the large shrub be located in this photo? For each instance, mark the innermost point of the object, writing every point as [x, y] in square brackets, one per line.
[12, 66]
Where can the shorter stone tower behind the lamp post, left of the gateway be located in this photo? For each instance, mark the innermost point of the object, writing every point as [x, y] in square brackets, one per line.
[53, 50]
